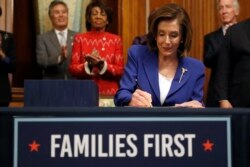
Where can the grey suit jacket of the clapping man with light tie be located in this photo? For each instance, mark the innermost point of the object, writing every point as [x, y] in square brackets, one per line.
[48, 50]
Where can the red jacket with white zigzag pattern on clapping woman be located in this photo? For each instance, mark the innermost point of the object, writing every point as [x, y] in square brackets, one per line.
[109, 47]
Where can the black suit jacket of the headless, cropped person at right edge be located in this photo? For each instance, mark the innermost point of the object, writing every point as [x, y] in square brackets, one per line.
[233, 76]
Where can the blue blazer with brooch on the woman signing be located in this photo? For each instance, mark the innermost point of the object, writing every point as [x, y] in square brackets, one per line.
[142, 71]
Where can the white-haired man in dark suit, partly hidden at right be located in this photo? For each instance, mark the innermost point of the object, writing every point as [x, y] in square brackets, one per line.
[228, 10]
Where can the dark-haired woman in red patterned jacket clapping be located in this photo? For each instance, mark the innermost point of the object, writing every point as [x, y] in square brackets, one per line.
[98, 54]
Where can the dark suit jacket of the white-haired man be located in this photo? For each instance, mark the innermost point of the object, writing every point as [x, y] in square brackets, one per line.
[212, 46]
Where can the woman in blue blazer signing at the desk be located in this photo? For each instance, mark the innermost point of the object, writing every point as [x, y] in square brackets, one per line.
[161, 74]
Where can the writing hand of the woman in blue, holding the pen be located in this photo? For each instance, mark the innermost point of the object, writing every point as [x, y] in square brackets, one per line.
[141, 99]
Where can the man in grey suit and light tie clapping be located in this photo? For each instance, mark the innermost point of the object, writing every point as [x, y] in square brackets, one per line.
[53, 48]
